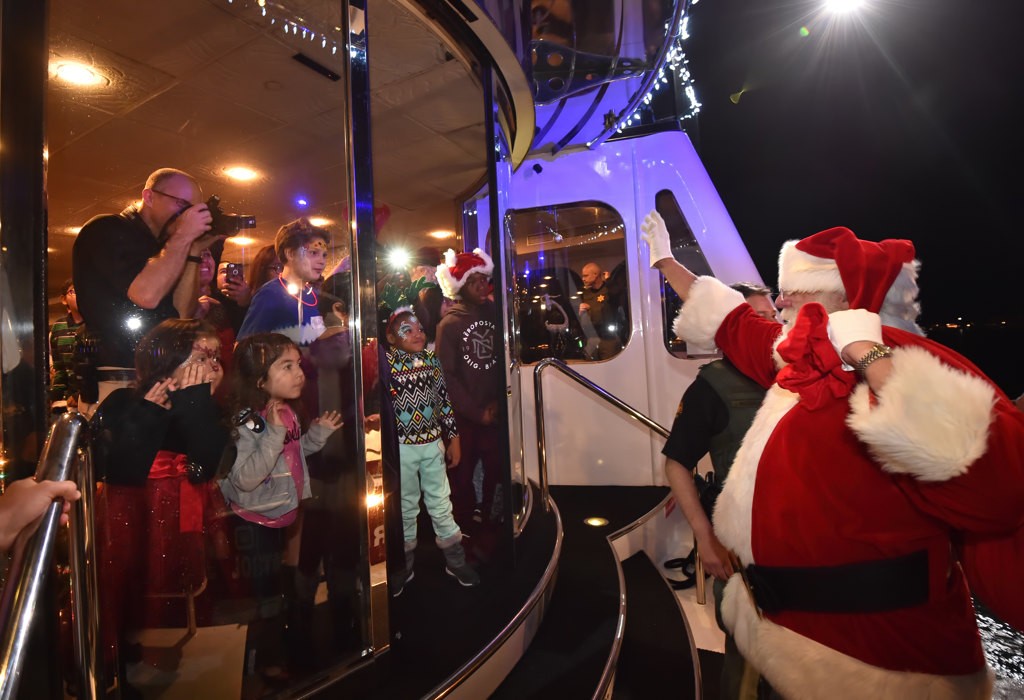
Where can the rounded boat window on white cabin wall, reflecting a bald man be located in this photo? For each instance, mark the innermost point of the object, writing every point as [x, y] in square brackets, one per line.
[571, 282]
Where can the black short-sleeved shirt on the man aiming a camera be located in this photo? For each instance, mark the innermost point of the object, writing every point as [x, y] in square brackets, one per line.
[109, 254]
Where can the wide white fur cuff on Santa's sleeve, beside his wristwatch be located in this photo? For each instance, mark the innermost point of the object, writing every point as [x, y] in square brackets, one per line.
[931, 421]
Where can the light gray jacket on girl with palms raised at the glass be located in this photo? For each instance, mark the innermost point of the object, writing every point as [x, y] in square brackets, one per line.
[261, 480]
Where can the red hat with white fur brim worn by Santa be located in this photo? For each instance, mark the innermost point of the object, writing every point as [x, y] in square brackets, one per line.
[836, 260]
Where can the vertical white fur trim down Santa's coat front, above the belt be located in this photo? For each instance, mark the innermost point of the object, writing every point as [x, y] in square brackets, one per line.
[735, 507]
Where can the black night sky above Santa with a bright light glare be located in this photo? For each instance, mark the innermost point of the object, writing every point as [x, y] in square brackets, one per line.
[905, 121]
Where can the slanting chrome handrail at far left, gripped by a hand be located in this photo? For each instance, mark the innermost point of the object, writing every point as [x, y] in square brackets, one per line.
[32, 556]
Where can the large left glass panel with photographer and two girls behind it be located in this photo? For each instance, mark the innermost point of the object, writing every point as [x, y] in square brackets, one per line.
[243, 577]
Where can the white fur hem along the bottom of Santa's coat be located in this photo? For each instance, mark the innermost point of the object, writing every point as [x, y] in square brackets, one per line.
[800, 668]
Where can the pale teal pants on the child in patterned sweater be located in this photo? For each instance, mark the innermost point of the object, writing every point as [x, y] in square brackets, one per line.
[423, 470]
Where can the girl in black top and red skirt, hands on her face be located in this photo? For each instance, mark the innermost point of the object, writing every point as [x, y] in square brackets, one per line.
[158, 448]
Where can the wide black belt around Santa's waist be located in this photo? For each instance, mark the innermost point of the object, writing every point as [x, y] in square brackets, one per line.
[863, 588]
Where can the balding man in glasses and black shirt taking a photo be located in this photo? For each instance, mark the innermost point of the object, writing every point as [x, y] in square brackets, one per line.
[137, 269]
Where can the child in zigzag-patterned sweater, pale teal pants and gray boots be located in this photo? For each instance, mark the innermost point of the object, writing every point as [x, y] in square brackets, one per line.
[424, 417]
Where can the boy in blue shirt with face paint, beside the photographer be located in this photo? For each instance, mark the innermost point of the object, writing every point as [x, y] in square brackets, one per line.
[289, 305]
